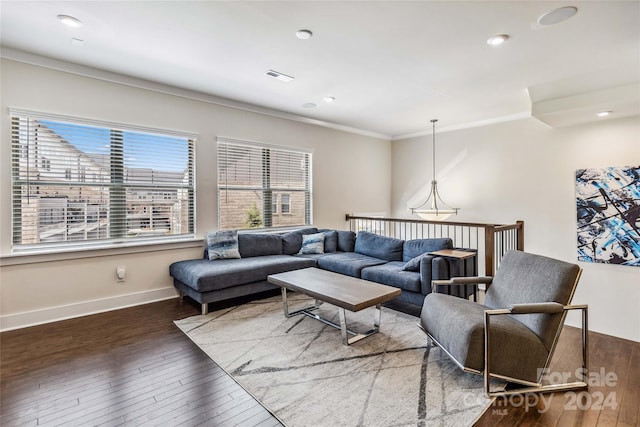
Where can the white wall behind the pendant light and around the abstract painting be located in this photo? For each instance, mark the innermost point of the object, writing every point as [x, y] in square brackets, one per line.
[525, 170]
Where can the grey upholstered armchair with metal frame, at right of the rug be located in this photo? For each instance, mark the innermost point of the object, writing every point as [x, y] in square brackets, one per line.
[513, 334]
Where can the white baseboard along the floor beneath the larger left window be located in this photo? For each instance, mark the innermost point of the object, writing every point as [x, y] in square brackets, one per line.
[53, 314]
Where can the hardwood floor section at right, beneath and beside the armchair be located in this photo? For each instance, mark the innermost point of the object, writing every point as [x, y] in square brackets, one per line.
[613, 399]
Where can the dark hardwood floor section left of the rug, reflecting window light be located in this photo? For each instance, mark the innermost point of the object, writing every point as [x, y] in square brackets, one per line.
[127, 367]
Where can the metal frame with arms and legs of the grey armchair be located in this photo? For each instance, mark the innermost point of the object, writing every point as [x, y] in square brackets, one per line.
[533, 308]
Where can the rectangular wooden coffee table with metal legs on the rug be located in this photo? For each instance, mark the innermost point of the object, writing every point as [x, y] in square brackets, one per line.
[345, 292]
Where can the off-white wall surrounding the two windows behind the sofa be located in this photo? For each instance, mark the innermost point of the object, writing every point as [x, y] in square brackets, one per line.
[39, 289]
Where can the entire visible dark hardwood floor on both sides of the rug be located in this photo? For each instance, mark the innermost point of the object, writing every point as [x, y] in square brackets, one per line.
[134, 367]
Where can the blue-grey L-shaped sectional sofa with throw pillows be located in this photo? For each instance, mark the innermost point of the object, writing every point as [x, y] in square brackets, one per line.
[237, 263]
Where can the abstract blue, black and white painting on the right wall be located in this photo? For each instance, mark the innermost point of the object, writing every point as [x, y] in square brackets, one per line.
[608, 202]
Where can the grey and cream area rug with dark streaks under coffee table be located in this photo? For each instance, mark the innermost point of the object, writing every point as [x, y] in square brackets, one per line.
[299, 369]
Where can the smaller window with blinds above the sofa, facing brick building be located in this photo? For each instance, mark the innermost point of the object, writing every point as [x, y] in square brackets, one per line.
[249, 177]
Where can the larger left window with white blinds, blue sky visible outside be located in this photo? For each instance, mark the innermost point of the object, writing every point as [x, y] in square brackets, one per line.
[98, 183]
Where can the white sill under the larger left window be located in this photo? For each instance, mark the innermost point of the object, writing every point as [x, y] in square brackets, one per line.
[79, 252]
